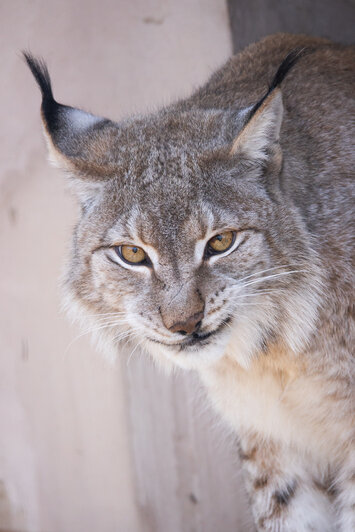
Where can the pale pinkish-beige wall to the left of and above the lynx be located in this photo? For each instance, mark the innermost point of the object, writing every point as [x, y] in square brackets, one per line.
[66, 456]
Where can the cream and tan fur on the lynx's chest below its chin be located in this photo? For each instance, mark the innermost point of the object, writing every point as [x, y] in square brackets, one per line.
[286, 406]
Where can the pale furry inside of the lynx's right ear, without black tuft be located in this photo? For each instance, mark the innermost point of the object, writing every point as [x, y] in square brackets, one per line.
[260, 135]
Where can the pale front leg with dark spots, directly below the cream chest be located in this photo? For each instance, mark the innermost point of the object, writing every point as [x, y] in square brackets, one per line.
[283, 494]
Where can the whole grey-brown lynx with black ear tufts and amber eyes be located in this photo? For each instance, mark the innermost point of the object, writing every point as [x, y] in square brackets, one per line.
[217, 235]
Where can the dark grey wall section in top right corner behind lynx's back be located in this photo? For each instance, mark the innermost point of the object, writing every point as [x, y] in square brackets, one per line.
[253, 19]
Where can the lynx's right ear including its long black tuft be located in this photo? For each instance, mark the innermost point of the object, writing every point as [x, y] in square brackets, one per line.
[259, 138]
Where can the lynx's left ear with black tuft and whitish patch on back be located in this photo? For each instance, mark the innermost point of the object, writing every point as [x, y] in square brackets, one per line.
[78, 142]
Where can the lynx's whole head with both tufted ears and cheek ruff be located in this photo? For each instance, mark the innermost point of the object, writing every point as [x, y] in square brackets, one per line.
[186, 244]
